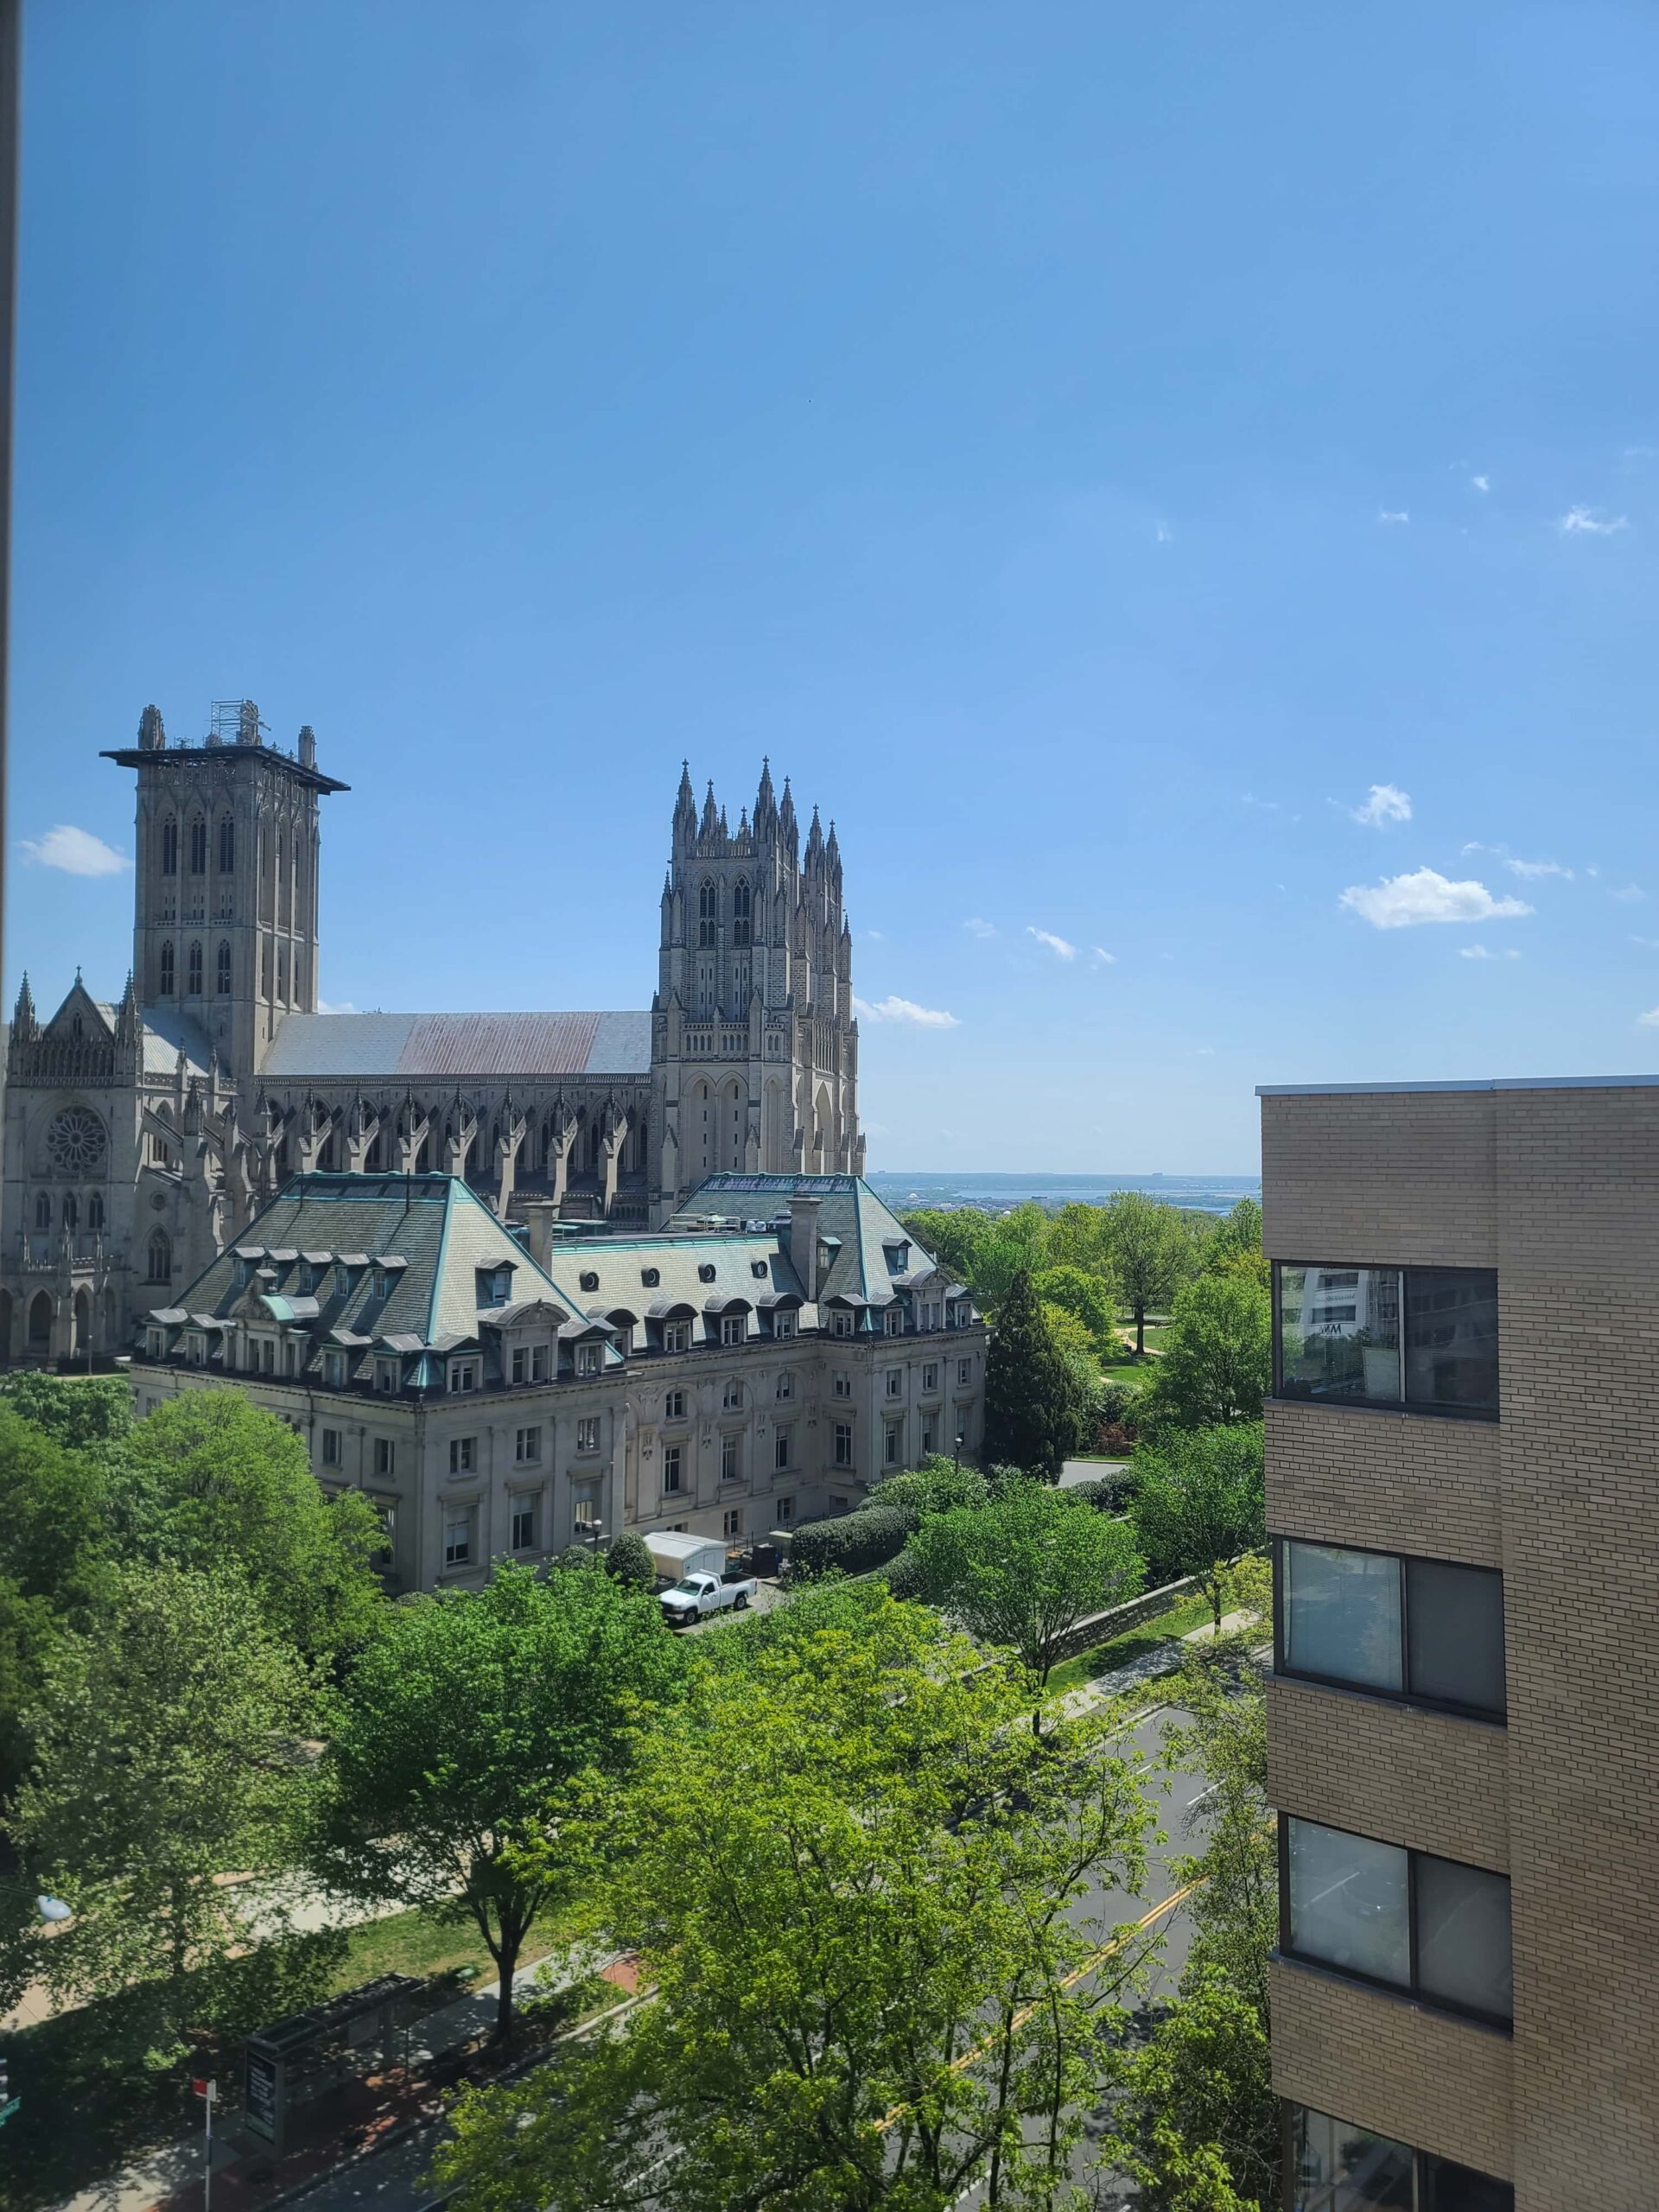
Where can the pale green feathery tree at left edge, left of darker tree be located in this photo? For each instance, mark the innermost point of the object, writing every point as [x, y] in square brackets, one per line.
[167, 1753]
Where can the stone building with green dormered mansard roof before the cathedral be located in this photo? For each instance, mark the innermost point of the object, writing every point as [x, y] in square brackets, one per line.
[764, 1359]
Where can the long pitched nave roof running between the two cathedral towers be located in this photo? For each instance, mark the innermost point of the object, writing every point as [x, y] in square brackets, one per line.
[459, 1045]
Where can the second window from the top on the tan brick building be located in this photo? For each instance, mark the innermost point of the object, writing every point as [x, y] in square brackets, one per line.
[1373, 1620]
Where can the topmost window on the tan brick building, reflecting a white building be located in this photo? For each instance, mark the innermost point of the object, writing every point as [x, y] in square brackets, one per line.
[1423, 1339]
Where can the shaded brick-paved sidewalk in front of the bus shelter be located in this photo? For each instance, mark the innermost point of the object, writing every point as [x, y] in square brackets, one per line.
[371, 2114]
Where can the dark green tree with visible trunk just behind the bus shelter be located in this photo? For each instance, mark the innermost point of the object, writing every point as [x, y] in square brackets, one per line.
[459, 1722]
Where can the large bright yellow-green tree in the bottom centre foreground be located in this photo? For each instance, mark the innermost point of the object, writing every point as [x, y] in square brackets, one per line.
[866, 1901]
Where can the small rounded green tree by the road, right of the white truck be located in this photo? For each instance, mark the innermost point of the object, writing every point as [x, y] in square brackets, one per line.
[1025, 1569]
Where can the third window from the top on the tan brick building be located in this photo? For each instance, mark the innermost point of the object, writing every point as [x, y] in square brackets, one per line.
[1395, 1917]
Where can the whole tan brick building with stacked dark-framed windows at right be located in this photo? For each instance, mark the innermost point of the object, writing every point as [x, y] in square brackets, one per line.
[1463, 1731]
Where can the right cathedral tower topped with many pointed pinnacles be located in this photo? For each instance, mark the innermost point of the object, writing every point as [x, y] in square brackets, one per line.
[753, 1036]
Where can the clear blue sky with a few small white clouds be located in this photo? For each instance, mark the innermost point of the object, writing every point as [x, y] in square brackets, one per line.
[1176, 483]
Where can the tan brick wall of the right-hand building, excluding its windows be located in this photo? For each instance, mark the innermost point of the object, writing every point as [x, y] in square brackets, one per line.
[1556, 1189]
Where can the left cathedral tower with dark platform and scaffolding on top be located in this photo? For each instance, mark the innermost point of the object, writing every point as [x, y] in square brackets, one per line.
[225, 910]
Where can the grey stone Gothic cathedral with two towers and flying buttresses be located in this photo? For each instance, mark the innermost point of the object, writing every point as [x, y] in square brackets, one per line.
[145, 1134]
